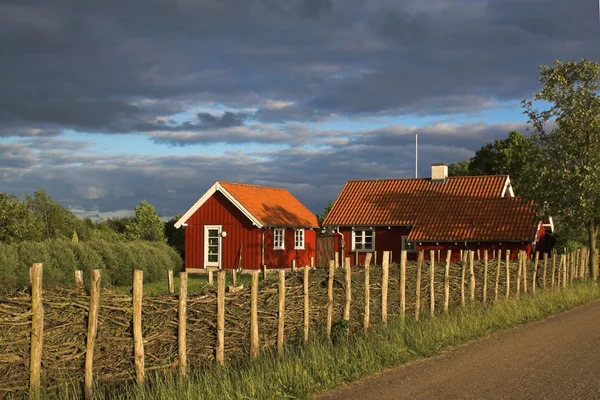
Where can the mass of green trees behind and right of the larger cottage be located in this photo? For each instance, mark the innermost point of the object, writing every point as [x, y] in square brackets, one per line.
[558, 163]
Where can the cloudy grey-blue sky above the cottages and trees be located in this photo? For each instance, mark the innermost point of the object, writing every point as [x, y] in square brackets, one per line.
[106, 103]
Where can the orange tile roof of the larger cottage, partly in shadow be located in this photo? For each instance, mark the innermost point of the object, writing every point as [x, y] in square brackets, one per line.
[461, 208]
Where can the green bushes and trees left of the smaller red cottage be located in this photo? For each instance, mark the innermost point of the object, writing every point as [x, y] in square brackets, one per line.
[34, 228]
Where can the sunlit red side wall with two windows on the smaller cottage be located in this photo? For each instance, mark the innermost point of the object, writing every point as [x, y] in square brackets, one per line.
[283, 258]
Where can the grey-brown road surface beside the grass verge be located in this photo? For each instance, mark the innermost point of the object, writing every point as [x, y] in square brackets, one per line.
[558, 358]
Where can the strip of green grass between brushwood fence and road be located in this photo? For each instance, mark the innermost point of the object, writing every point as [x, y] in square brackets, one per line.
[305, 371]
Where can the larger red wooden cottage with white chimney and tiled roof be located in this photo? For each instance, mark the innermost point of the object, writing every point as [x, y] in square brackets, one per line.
[437, 213]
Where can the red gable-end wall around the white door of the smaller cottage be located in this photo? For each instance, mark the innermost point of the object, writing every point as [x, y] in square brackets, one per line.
[240, 233]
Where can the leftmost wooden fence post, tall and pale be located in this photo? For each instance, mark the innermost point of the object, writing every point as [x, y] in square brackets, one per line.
[37, 330]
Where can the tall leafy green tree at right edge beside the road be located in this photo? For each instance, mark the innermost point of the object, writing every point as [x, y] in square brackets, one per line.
[568, 167]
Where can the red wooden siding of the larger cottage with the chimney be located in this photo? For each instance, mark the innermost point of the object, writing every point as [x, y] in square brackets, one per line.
[390, 239]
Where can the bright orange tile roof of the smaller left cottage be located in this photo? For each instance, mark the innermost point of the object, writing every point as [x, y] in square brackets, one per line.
[272, 206]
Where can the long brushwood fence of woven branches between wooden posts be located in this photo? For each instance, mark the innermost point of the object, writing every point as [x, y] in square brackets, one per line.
[73, 338]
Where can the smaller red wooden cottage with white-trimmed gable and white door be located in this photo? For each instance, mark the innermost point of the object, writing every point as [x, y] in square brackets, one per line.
[243, 226]
